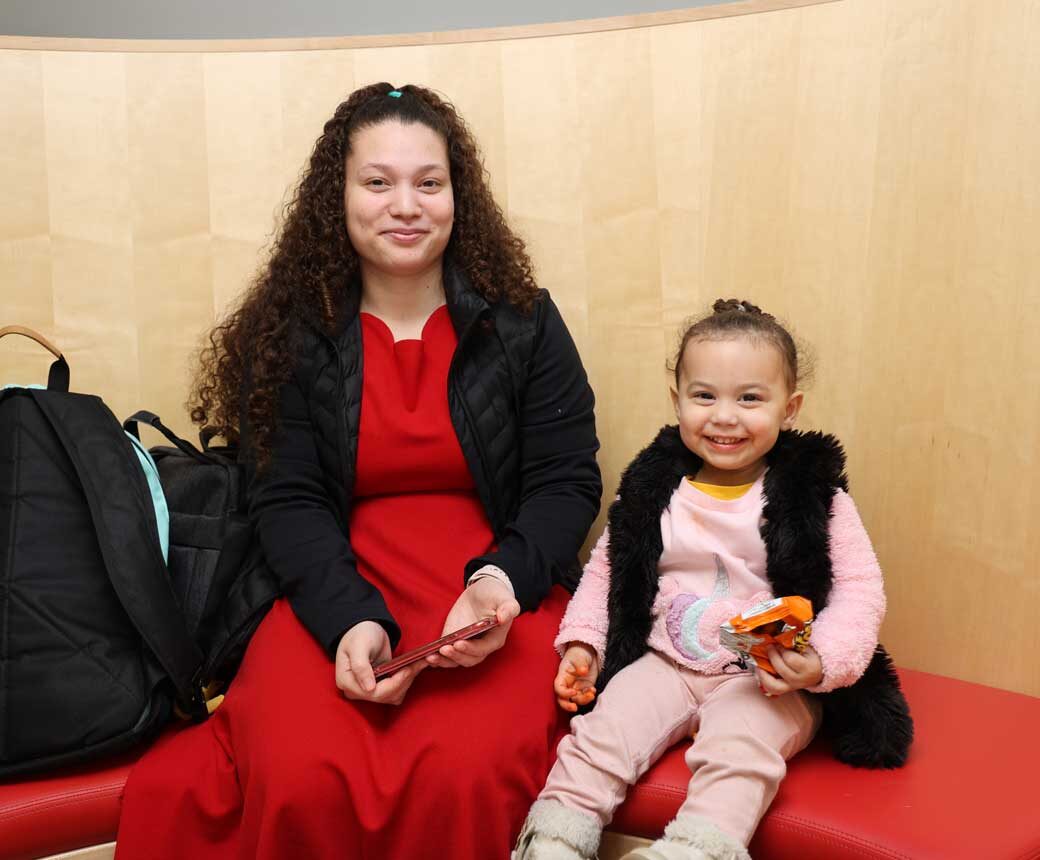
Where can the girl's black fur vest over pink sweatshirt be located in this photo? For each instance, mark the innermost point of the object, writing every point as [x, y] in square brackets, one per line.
[869, 723]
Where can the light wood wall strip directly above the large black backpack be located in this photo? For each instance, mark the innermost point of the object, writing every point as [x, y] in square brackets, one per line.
[91, 220]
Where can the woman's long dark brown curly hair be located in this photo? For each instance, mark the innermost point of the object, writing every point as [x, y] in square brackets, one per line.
[313, 265]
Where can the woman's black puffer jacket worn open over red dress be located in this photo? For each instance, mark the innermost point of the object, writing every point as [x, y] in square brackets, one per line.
[523, 410]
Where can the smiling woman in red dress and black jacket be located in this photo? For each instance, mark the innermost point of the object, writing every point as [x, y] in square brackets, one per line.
[423, 441]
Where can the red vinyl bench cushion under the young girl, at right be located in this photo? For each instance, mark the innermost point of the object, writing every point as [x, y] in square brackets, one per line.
[969, 791]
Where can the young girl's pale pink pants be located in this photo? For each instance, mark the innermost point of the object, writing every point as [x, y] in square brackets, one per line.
[739, 755]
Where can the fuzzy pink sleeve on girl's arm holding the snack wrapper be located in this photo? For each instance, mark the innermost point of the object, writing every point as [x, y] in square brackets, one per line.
[846, 633]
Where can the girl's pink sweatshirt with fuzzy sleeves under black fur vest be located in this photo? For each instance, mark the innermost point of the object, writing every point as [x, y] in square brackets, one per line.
[713, 567]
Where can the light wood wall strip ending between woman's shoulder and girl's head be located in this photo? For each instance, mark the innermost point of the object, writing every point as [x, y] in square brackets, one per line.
[619, 214]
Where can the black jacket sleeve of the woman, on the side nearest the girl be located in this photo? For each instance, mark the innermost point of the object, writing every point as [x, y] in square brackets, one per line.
[560, 479]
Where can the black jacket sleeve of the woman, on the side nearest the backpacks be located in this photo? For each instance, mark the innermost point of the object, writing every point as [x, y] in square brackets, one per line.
[307, 548]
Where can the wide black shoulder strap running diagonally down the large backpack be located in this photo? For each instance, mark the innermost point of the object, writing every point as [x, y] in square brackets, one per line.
[117, 493]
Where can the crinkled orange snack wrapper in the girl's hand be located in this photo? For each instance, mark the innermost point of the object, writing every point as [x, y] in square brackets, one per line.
[786, 622]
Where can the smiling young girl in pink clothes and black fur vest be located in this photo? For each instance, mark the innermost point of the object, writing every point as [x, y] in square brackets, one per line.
[731, 508]
